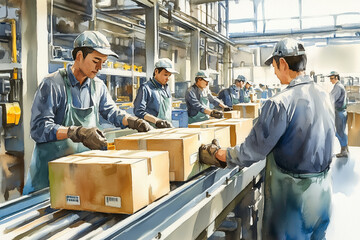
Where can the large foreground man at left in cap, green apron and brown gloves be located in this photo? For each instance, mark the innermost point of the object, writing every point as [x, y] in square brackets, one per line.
[66, 108]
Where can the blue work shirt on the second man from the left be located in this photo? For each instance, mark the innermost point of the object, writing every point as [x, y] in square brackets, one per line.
[147, 99]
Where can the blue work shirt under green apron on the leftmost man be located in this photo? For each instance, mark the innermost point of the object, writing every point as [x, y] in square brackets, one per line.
[49, 106]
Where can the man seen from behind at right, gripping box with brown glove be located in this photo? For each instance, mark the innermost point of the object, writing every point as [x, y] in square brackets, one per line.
[295, 133]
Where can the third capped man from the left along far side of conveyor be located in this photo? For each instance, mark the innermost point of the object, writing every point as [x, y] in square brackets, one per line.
[198, 98]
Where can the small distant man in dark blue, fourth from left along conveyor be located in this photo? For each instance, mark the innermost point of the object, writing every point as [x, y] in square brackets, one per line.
[235, 93]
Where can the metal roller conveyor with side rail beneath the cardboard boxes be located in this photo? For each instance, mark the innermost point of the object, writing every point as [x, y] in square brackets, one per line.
[30, 217]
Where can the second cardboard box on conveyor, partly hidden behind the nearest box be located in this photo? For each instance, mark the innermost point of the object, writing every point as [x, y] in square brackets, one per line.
[182, 148]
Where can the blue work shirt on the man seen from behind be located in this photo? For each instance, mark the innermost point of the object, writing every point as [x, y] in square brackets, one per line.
[297, 126]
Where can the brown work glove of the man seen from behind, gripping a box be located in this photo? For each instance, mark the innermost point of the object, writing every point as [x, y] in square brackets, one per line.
[207, 154]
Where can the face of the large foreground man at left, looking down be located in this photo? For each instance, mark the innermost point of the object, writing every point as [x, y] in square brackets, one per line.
[91, 65]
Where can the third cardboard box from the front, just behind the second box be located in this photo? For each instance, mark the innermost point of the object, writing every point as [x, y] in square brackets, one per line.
[239, 129]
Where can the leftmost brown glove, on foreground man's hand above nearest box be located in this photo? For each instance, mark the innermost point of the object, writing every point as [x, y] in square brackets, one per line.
[92, 138]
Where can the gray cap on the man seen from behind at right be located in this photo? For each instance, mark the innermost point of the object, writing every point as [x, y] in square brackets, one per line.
[285, 48]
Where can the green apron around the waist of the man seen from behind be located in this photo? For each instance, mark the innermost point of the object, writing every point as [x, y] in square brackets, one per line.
[297, 206]
